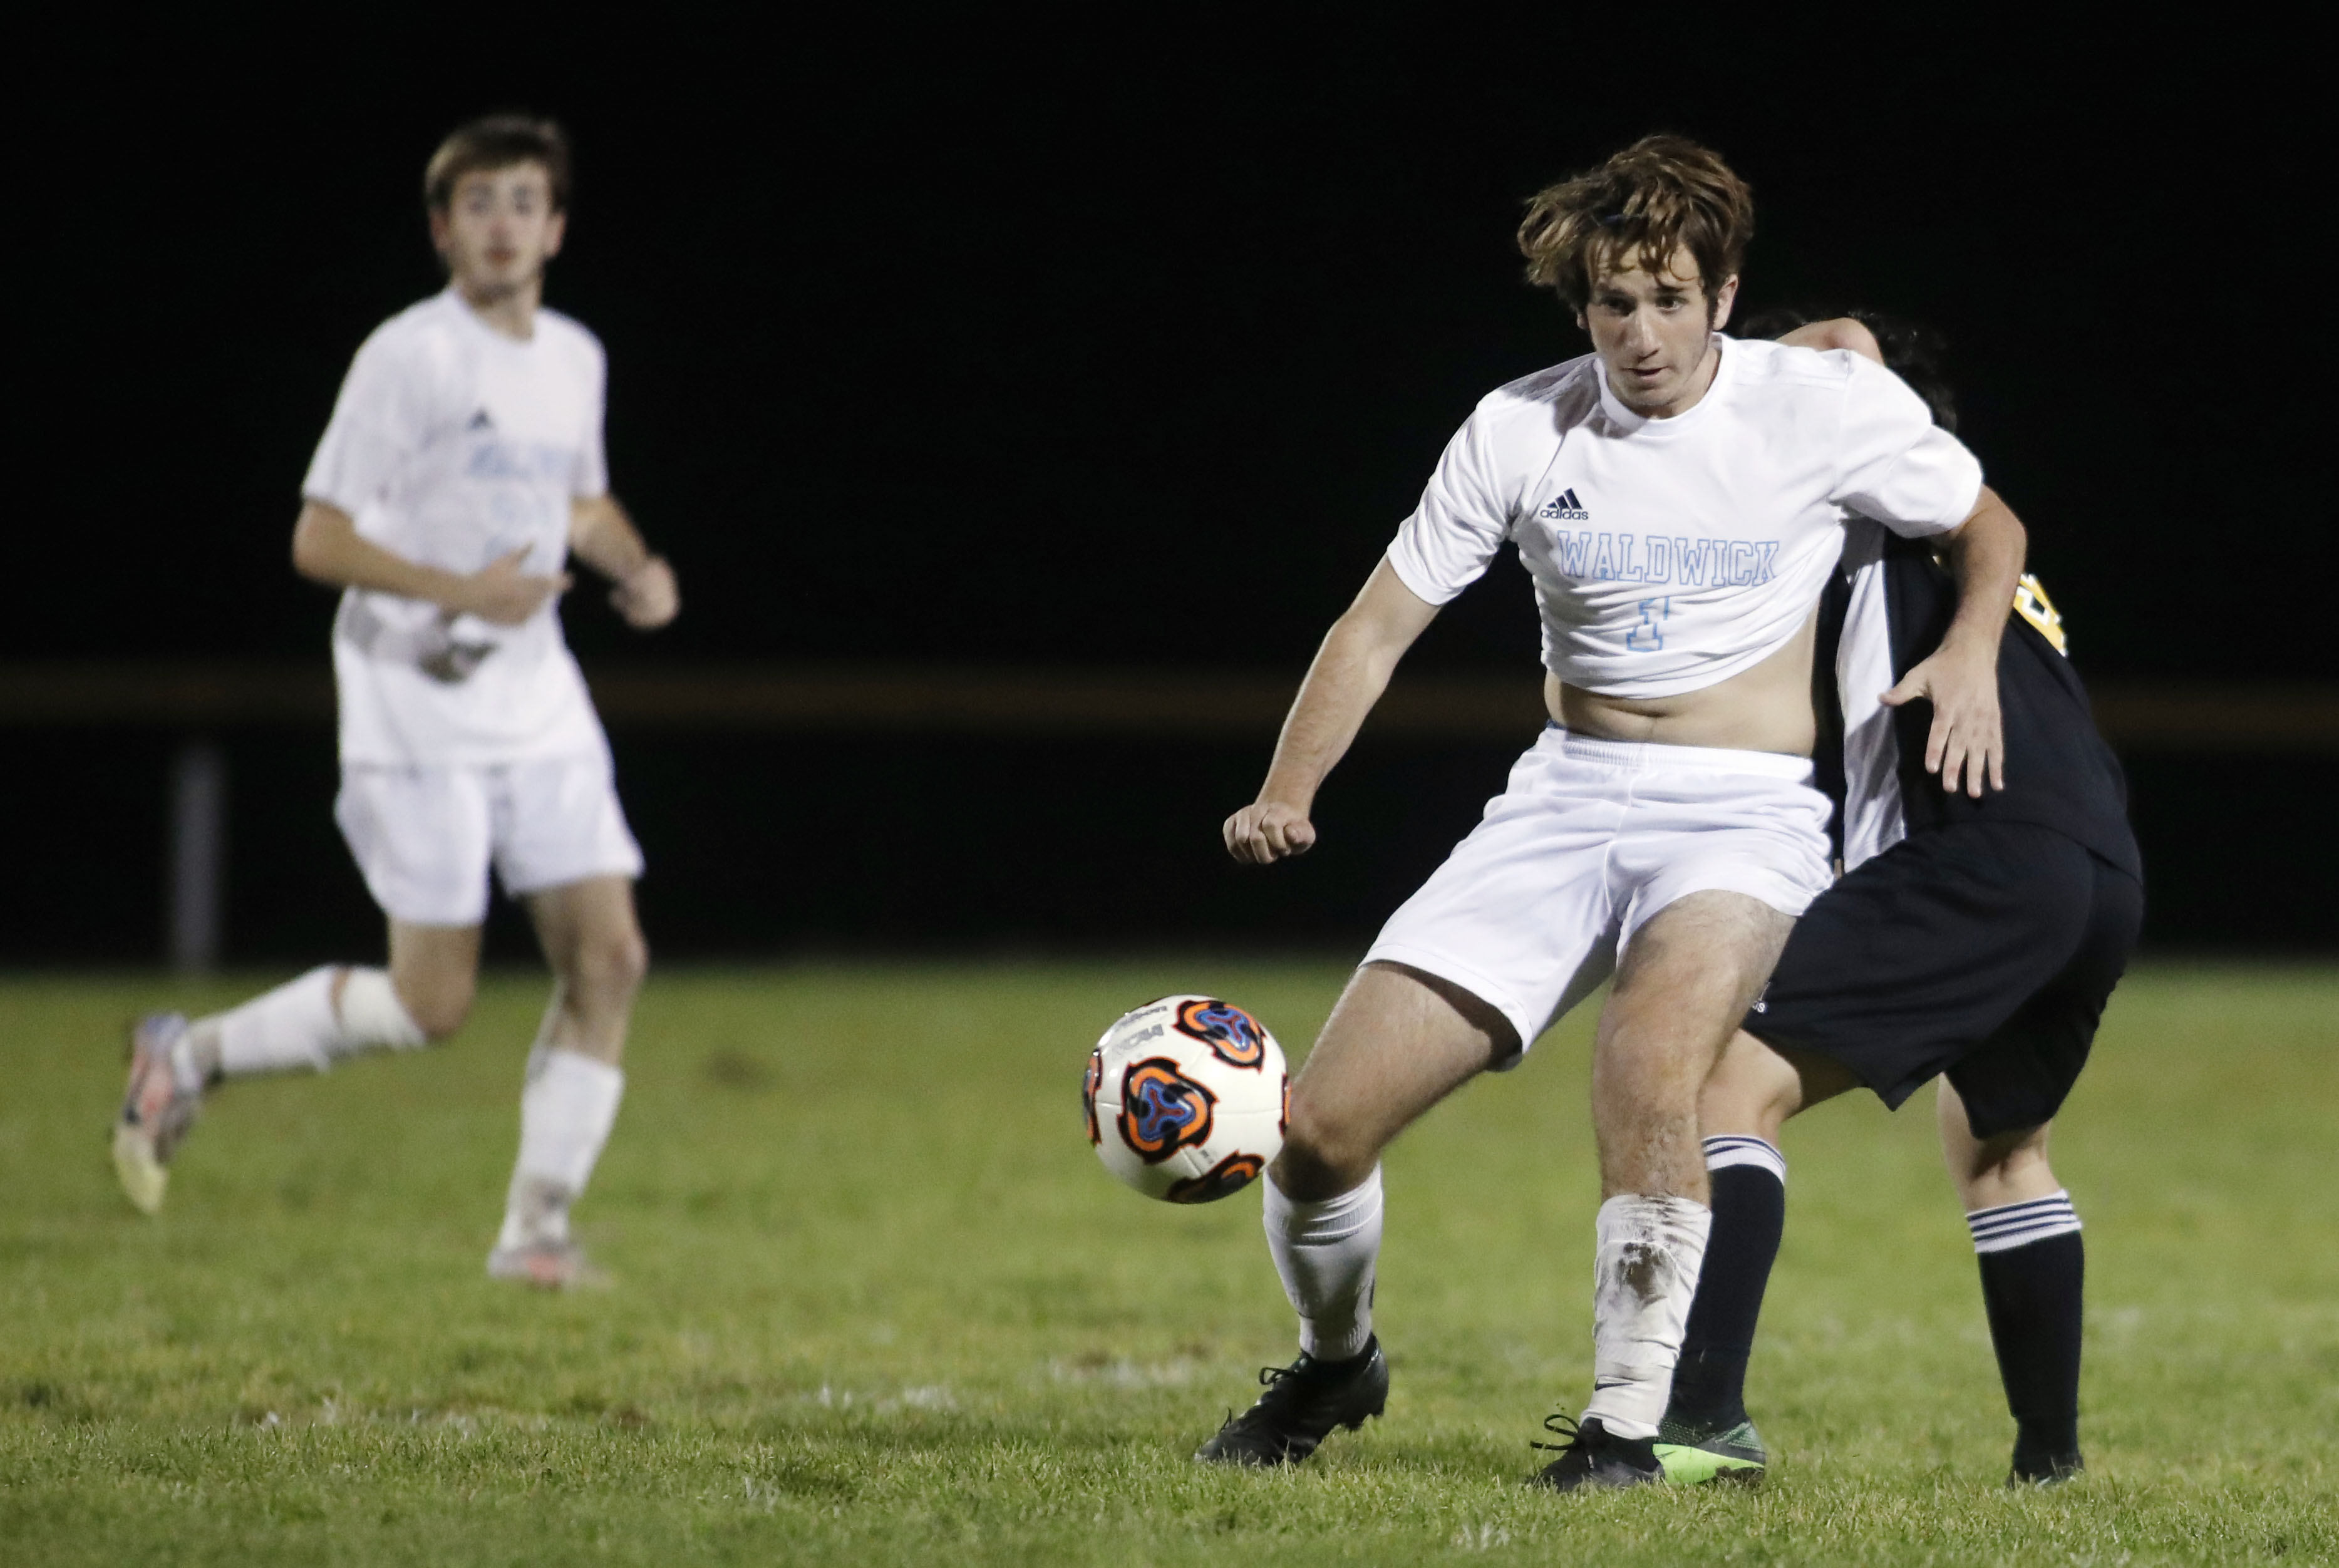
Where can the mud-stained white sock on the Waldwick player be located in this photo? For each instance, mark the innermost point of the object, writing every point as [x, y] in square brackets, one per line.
[1643, 1281]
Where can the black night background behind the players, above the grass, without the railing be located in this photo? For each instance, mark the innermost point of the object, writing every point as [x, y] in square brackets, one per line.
[1122, 343]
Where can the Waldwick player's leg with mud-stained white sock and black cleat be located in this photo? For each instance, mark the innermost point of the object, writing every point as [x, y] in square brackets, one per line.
[1683, 986]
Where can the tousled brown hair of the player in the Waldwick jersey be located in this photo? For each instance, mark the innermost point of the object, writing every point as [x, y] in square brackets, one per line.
[1657, 195]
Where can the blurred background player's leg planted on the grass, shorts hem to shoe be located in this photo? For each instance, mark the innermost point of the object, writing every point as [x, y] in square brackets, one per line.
[570, 1101]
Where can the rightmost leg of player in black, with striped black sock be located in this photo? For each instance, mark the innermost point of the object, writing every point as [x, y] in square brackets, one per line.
[2034, 1274]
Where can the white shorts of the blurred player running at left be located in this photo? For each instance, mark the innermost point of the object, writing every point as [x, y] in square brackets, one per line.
[427, 837]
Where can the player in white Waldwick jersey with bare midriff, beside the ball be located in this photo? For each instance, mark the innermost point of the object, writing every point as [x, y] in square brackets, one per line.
[1681, 502]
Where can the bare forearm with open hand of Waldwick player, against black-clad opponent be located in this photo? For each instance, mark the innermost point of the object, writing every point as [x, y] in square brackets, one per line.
[1961, 678]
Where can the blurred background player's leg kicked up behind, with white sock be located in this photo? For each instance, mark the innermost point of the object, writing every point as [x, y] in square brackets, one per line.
[303, 1026]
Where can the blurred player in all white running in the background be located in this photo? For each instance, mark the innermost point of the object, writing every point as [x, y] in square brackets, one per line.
[457, 476]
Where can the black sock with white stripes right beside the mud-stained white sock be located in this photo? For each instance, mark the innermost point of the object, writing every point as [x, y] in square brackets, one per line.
[1751, 1216]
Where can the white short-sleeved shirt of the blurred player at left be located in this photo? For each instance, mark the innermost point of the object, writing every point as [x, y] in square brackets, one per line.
[455, 446]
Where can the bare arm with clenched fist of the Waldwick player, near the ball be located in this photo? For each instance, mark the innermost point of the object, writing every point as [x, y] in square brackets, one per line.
[1344, 685]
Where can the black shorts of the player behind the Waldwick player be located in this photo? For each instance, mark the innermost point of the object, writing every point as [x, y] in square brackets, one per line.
[1978, 949]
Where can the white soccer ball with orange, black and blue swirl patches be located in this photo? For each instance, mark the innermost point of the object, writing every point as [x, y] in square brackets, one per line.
[1187, 1099]
